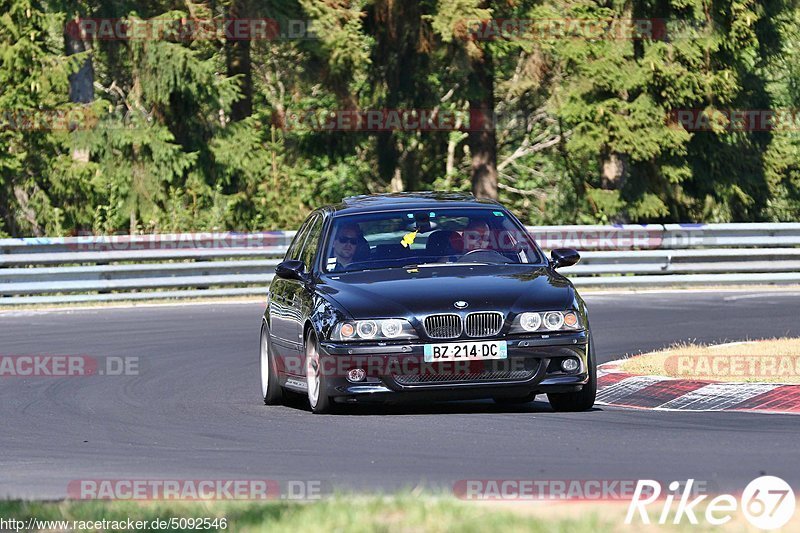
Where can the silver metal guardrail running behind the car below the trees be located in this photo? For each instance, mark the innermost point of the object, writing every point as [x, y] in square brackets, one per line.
[86, 269]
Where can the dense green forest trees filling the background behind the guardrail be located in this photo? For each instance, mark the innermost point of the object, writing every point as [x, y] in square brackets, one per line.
[585, 128]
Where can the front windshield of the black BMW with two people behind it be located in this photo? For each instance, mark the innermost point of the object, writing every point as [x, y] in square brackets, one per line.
[425, 237]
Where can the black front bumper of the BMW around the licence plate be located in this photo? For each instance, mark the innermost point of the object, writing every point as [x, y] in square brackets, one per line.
[398, 369]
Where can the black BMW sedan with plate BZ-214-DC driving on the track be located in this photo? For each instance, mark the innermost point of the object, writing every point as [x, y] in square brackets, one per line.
[427, 296]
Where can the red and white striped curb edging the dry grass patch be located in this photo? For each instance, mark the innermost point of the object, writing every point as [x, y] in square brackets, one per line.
[617, 388]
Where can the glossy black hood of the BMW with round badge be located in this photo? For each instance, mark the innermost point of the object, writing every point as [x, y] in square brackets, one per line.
[402, 292]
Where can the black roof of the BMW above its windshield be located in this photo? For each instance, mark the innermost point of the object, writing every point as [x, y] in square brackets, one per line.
[407, 200]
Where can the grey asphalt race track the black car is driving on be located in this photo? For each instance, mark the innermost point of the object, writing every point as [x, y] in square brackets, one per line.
[194, 412]
